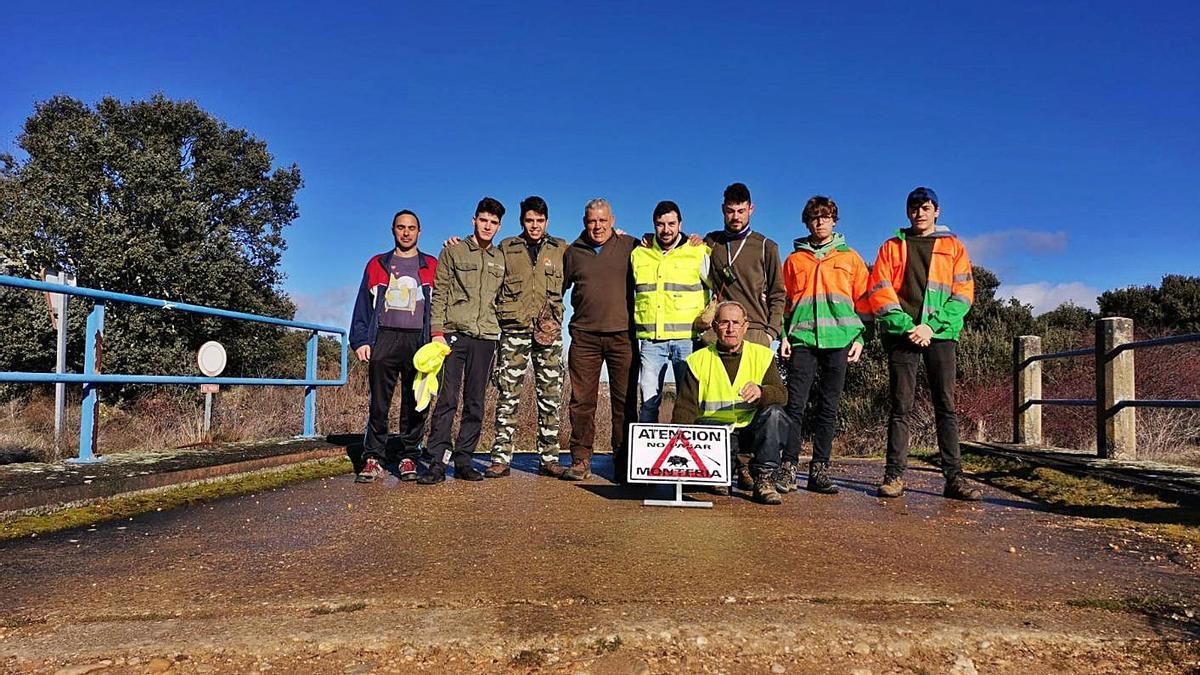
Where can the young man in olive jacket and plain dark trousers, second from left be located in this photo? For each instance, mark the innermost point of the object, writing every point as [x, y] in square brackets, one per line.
[464, 316]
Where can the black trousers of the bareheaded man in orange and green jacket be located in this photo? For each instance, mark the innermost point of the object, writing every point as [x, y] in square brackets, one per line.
[829, 369]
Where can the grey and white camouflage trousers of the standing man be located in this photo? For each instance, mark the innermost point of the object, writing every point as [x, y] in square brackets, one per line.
[514, 355]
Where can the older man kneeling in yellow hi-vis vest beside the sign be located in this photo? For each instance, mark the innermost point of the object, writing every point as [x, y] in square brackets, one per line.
[736, 384]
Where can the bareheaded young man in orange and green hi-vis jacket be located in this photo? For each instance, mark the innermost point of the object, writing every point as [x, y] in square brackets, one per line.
[824, 332]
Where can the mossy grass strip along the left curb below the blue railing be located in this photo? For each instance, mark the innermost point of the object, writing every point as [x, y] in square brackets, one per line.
[125, 506]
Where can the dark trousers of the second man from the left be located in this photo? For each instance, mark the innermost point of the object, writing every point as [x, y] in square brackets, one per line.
[465, 374]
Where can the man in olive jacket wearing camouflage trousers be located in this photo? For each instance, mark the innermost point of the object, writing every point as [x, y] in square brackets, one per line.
[531, 315]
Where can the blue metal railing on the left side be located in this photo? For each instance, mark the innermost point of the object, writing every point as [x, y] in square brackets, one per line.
[94, 343]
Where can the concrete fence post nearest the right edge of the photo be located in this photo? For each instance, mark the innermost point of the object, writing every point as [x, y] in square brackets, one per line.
[1115, 428]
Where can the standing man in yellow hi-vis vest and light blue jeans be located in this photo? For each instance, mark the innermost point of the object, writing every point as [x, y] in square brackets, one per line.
[670, 292]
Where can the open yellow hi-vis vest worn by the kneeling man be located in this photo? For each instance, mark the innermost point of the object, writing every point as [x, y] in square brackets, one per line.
[718, 398]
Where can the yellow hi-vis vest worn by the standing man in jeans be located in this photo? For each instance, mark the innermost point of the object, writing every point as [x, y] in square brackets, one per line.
[669, 294]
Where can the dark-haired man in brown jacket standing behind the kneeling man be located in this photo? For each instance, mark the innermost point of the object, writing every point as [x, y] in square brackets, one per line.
[746, 267]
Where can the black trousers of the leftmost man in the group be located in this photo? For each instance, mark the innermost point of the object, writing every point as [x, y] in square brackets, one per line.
[392, 360]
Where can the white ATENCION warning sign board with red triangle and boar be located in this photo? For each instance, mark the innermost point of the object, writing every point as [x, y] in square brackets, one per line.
[674, 453]
